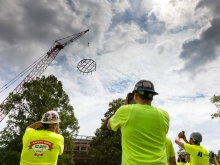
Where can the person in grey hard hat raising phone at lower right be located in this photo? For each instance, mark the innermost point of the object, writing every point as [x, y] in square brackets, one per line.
[198, 154]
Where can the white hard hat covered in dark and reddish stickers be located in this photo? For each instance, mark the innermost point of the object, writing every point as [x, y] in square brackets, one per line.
[50, 117]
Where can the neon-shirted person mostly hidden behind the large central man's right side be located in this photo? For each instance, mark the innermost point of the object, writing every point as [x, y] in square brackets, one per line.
[171, 159]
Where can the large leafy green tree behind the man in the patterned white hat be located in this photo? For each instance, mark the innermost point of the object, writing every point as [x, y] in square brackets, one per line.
[38, 96]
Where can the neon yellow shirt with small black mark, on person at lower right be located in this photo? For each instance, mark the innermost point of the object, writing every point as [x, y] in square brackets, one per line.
[198, 154]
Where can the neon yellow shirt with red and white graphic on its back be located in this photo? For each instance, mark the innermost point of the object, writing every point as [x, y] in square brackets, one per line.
[41, 147]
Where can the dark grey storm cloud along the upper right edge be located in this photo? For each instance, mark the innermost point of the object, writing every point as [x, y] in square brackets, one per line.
[197, 52]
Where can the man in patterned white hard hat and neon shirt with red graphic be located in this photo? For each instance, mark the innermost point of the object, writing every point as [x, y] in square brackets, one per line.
[42, 146]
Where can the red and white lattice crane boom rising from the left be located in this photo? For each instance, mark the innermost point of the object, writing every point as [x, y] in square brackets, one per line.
[41, 66]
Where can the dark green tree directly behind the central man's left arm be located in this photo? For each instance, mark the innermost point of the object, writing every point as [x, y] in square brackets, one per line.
[105, 147]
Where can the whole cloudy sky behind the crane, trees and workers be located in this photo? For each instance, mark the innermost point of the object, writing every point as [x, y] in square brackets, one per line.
[174, 44]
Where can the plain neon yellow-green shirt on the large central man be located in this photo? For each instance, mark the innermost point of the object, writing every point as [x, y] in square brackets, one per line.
[143, 130]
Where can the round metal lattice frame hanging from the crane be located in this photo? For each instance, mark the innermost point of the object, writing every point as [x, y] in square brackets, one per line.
[86, 66]
